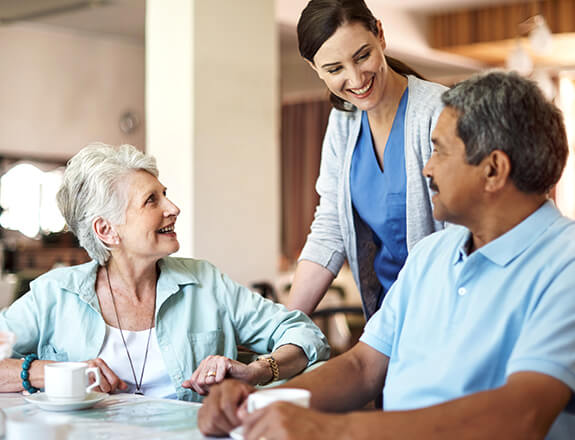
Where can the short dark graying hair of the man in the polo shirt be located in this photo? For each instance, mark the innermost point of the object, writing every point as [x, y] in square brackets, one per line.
[504, 111]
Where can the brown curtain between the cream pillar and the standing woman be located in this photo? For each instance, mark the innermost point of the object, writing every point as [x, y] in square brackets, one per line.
[302, 129]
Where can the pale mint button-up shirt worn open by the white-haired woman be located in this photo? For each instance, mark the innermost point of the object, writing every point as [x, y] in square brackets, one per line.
[199, 312]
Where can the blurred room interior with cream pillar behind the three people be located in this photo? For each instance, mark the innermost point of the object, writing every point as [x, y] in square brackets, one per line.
[217, 92]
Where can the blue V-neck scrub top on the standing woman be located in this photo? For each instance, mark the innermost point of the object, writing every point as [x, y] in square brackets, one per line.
[378, 196]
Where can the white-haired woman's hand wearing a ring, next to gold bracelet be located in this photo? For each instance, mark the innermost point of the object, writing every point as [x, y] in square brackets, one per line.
[214, 369]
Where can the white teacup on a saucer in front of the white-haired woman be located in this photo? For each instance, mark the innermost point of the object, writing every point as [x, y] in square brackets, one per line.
[67, 381]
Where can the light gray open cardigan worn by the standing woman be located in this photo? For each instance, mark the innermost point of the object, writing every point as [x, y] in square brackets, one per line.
[337, 232]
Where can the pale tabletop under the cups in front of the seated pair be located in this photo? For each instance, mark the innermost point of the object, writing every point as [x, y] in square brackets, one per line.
[118, 417]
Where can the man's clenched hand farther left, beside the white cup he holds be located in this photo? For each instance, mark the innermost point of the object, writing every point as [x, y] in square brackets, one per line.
[224, 407]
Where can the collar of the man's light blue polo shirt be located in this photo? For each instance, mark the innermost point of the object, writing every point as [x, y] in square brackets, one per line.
[506, 247]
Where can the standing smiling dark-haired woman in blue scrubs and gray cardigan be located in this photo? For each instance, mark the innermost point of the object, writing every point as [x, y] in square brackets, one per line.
[374, 202]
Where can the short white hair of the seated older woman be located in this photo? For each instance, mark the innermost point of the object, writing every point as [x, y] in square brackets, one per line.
[91, 189]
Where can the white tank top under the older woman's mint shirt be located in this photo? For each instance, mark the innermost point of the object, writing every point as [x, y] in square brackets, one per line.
[156, 381]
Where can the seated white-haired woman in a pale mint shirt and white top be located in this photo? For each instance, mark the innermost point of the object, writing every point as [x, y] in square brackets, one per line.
[153, 324]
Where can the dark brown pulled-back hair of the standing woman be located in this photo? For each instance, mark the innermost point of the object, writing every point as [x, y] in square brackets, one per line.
[319, 21]
